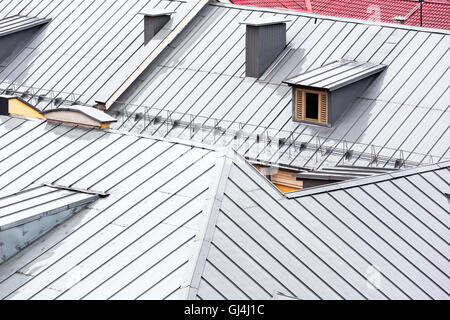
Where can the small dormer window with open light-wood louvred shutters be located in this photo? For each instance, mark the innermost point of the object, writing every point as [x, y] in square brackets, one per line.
[311, 106]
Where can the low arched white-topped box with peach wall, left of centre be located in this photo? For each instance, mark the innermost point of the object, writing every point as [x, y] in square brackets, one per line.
[80, 115]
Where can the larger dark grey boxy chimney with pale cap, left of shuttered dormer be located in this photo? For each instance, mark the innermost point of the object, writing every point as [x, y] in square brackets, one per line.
[265, 40]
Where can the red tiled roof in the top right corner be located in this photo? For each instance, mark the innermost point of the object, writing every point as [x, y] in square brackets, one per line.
[435, 13]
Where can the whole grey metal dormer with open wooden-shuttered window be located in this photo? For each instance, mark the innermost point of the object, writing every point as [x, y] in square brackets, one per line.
[322, 95]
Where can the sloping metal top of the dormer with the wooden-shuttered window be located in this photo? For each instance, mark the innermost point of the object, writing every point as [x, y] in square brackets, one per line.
[336, 75]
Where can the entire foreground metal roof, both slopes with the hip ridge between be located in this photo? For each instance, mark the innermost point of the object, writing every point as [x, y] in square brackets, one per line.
[191, 221]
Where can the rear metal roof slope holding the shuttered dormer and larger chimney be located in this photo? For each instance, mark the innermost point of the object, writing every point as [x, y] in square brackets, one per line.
[200, 81]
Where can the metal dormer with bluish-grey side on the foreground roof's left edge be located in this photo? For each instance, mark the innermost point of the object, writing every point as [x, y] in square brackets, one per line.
[26, 216]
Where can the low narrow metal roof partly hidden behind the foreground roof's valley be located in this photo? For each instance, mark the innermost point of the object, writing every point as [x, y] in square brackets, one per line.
[342, 173]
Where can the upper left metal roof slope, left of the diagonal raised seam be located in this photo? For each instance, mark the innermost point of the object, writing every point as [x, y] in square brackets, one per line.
[88, 50]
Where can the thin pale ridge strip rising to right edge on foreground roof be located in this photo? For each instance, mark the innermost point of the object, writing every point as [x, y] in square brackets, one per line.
[368, 180]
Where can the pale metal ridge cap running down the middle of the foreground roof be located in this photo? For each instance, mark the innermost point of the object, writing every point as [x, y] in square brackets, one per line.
[203, 240]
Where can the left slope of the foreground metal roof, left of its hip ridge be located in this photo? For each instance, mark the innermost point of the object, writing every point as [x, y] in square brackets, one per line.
[135, 243]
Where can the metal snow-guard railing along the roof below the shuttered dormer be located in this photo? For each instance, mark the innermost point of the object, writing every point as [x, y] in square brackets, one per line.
[162, 122]
